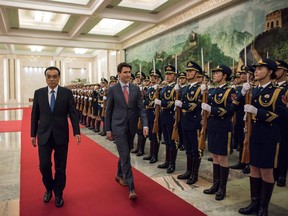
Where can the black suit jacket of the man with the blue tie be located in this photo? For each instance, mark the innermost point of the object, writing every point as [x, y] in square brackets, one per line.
[44, 121]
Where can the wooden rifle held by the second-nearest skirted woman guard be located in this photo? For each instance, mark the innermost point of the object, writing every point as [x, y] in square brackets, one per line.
[202, 137]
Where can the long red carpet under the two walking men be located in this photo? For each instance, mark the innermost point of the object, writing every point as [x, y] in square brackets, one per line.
[91, 189]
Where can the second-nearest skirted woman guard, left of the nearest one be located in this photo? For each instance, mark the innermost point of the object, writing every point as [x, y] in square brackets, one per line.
[219, 128]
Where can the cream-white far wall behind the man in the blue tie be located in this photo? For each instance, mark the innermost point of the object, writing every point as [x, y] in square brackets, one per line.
[21, 75]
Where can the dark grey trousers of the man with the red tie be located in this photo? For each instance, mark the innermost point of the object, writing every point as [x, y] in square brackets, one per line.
[124, 143]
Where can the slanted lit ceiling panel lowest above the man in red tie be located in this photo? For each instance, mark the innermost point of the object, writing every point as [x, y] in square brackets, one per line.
[110, 27]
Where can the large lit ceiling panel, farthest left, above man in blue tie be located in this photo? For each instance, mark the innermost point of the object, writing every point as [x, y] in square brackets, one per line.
[41, 20]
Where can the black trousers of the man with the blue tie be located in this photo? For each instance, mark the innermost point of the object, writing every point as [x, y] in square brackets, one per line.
[60, 160]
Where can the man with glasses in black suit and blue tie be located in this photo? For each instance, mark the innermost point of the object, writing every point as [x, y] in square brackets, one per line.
[51, 107]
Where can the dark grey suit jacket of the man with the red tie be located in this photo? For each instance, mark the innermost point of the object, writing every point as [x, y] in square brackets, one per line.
[119, 115]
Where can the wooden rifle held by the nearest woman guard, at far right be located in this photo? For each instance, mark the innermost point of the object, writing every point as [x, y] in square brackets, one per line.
[247, 129]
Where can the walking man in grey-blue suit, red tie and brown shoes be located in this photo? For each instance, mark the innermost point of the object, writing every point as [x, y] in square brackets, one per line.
[124, 106]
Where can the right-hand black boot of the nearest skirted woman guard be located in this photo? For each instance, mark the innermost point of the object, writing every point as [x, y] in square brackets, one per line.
[266, 193]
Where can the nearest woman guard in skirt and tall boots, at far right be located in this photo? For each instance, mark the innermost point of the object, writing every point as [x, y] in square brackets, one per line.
[266, 109]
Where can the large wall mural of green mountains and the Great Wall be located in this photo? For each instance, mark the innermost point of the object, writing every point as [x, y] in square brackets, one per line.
[259, 25]
